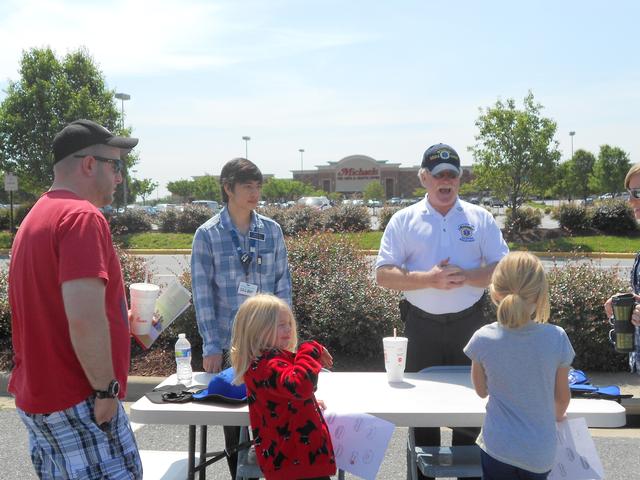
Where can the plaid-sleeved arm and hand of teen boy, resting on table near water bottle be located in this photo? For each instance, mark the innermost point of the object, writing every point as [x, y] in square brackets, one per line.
[202, 274]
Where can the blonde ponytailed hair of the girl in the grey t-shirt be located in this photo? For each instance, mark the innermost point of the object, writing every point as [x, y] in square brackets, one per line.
[519, 289]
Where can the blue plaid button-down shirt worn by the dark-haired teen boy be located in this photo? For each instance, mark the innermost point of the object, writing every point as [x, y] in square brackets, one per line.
[216, 273]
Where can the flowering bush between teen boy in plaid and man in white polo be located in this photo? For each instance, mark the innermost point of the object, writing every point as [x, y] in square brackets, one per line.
[336, 299]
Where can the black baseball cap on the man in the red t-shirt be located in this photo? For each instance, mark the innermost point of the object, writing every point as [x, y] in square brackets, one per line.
[84, 133]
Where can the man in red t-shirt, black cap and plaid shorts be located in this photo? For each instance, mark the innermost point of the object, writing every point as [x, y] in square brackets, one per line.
[70, 325]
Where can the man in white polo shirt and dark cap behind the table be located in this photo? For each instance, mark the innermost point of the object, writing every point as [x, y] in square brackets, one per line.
[441, 253]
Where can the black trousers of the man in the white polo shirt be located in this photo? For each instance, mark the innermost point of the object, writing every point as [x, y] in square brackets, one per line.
[438, 340]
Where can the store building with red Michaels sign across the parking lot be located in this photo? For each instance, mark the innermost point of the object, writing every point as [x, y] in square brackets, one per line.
[352, 174]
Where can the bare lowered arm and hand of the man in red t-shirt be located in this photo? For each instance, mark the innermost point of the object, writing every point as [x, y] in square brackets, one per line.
[89, 331]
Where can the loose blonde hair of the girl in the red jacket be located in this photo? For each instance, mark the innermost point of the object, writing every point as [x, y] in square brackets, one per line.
[255, 329]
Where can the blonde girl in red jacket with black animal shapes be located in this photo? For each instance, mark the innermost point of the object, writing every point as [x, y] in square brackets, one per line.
[290, 435]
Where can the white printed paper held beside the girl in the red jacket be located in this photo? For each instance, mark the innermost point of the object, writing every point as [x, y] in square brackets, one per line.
[359, 441]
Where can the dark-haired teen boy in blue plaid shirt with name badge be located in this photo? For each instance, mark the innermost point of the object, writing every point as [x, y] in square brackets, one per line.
[236, 254]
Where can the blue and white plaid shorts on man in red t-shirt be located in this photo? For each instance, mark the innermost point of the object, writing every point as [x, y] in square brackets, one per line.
[68, 444]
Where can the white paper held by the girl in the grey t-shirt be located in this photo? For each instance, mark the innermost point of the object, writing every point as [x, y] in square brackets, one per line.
[576, 454]
